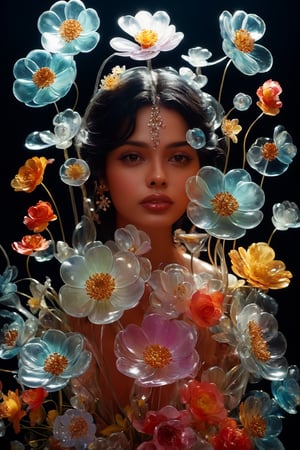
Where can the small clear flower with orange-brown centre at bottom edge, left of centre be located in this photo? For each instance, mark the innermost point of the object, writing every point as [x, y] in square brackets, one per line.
[75, 428]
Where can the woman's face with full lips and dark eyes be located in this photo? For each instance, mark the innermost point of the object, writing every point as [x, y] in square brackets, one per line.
[147, 183]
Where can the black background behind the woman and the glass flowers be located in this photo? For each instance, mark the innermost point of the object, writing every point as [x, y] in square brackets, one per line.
[199, 22]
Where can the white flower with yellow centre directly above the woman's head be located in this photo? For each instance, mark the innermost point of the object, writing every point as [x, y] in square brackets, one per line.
[152, 34]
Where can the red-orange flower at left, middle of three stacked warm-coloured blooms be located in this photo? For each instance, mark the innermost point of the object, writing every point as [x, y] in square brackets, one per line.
[39, 216]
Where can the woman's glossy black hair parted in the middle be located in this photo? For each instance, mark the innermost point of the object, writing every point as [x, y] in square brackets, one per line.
[110, 119]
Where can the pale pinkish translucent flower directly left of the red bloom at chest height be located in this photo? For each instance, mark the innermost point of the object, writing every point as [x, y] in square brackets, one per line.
[173, 288]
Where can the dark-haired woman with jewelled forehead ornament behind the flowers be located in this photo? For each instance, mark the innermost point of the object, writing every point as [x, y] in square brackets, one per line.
[134, 139]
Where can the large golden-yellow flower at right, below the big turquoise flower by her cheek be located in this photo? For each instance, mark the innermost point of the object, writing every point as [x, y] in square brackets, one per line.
[258, 266]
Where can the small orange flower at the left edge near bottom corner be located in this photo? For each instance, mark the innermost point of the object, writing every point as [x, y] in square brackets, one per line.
[11, 409]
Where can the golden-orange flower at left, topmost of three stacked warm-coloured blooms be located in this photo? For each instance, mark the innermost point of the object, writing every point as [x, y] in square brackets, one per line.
[31, 174]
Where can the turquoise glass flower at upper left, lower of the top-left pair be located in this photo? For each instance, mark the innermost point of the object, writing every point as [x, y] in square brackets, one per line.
[43, 78]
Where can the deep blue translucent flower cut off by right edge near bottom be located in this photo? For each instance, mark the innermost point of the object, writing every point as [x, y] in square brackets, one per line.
[287, 391]
